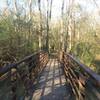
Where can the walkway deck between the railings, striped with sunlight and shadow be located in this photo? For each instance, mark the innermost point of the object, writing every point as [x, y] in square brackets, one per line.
[52, 84]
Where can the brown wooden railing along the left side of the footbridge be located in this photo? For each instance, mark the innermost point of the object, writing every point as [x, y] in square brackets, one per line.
[16, 80]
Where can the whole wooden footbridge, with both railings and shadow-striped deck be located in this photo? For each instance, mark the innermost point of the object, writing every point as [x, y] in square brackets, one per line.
[24, 80]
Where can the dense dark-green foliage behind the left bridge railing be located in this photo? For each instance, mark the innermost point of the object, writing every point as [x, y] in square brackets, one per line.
[16, 39]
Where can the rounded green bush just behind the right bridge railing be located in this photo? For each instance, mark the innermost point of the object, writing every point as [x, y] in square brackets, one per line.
[83, 51]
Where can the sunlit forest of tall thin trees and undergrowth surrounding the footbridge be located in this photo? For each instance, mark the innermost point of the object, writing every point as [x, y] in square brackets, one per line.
[73, 26]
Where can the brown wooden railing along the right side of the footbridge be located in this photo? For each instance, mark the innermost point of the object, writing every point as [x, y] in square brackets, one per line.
[84, 82]
